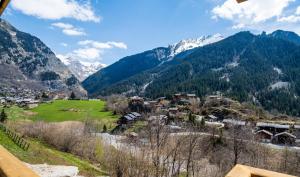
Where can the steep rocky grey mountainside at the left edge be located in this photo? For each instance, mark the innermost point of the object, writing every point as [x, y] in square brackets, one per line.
[26, 62]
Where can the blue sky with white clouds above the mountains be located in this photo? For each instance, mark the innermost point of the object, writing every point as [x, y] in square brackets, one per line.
[103, 31]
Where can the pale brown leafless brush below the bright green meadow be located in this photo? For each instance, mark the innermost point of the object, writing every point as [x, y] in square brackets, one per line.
[66, 136]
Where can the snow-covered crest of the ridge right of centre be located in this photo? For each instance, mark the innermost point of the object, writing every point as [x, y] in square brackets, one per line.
[189, 44]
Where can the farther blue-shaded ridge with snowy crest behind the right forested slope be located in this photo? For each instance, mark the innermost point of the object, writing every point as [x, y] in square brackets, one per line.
[135, 64]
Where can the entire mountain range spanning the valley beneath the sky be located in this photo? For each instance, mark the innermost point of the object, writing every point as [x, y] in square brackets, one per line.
[260, 69]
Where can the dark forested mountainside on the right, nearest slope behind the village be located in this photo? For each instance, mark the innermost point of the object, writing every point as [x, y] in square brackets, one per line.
[263, 69]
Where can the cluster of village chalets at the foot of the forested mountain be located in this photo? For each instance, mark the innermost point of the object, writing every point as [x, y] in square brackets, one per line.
[183, 112]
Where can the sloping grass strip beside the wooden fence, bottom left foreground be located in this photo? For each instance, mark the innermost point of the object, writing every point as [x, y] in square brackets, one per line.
[39, 153]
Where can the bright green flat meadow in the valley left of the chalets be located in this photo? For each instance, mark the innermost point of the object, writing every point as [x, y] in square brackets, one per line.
[65, 110]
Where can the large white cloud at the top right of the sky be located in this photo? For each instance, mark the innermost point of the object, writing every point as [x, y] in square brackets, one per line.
[250, 12]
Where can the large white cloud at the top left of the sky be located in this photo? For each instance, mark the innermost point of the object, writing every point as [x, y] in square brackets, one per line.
[57, 9]
